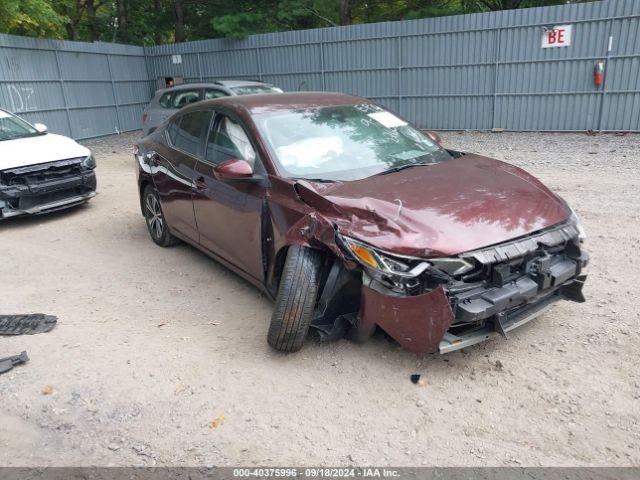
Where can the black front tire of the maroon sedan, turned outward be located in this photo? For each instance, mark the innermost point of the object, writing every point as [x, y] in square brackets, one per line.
[296, 300]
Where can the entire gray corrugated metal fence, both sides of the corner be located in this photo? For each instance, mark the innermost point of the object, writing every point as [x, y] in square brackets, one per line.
[482, 71]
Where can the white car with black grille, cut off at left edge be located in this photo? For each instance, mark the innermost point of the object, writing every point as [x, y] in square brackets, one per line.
[39, 171]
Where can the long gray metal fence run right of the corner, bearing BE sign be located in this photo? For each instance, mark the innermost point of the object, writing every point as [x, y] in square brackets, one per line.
[482, 71]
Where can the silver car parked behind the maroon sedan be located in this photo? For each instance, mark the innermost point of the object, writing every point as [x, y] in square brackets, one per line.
[167, 101]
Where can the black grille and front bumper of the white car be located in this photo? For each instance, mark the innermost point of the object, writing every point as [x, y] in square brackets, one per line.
[45, 188]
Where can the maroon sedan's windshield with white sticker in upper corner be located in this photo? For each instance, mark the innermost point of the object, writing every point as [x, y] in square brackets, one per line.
[344, 142]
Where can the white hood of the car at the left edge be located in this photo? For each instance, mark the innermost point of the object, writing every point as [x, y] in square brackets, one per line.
[22, 152]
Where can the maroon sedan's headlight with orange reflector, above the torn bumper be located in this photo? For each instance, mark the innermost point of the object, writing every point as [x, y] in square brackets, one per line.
[382, 262]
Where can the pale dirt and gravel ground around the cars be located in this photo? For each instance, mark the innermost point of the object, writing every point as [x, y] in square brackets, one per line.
[160, 355]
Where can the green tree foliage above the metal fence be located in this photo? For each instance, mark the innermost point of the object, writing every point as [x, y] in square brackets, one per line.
[152, 22]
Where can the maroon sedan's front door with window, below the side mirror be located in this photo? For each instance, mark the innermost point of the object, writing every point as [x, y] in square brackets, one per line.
[228, 212]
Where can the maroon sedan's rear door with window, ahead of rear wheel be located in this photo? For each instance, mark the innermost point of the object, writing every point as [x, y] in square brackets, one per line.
[175, 170]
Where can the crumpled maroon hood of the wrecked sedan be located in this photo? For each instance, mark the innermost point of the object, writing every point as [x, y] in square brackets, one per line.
[443, 209]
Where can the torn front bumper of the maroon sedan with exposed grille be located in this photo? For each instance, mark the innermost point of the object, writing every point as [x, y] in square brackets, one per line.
[517, 284]
